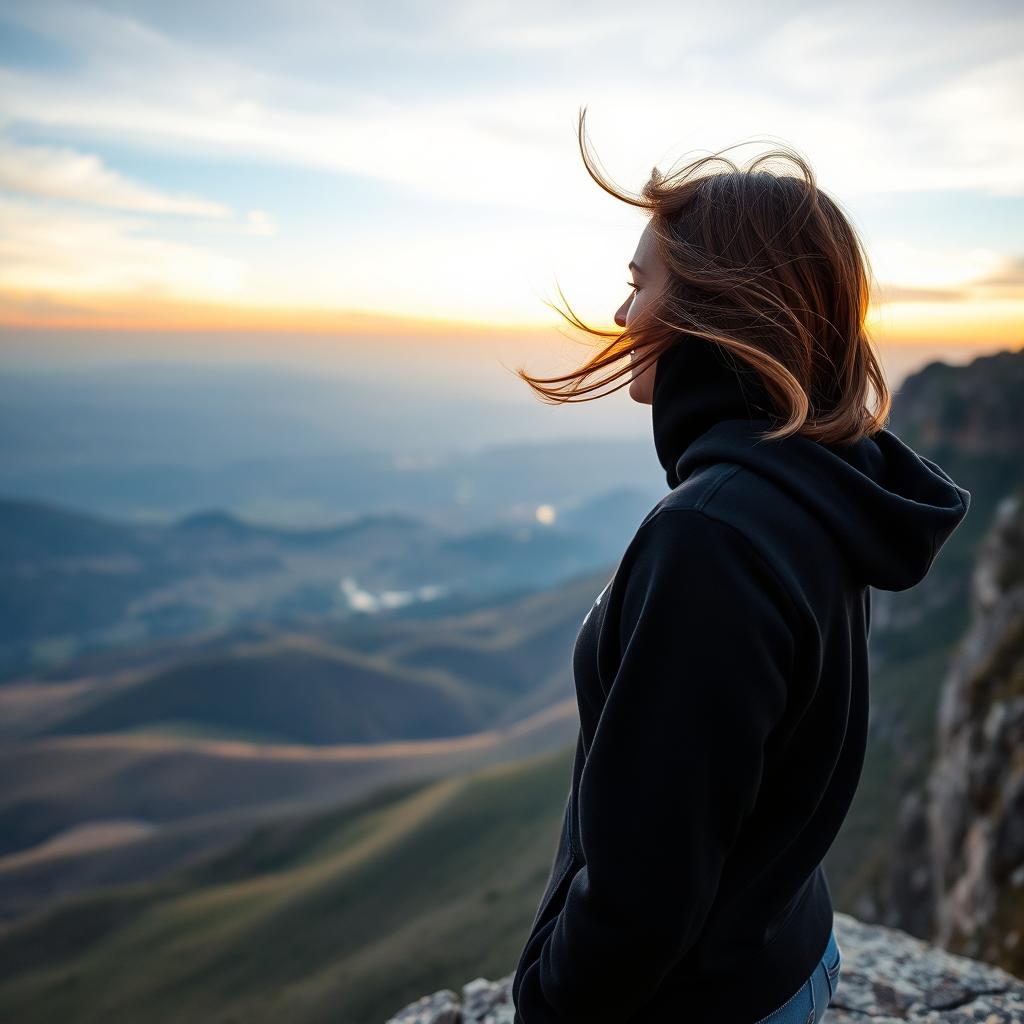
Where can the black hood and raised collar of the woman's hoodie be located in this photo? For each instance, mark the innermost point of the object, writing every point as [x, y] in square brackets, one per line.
[889, 508]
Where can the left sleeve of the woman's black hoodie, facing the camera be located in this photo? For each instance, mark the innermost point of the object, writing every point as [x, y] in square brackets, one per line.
[708, 642]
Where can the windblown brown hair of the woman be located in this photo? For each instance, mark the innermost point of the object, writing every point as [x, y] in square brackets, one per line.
[764, 265]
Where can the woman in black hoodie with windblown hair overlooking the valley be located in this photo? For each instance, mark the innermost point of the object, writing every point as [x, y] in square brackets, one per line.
[722, 674]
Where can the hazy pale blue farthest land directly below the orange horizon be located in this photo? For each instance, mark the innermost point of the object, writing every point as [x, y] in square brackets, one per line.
[154, 441]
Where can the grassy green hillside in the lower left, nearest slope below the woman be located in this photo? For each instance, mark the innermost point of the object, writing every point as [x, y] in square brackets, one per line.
[335, 917]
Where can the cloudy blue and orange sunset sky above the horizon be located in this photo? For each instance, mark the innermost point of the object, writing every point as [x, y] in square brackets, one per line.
[382, 168]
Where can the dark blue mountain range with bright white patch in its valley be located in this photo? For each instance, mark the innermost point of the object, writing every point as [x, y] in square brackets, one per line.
[73, 583]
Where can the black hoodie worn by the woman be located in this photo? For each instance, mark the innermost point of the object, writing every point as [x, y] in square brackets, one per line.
[722, 679]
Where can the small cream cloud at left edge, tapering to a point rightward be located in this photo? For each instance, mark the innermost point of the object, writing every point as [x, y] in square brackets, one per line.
[62, 173]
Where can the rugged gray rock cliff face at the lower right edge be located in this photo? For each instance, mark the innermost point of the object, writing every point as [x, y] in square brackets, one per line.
[958, 859]
